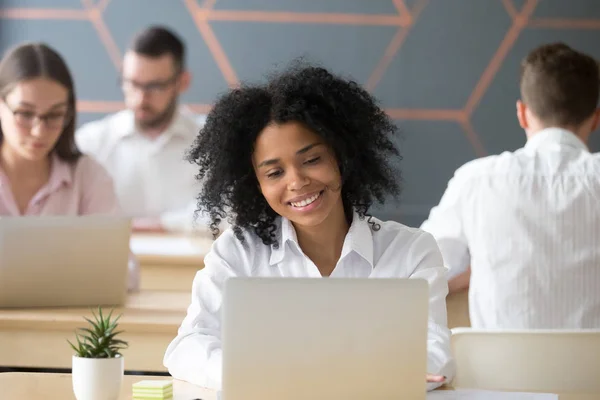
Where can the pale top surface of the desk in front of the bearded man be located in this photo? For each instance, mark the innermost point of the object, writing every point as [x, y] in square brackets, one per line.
[171, 249]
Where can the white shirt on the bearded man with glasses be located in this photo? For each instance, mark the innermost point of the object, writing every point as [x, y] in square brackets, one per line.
[151, 176]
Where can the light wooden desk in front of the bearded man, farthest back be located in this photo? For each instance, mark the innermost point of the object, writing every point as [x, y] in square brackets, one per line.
[168, 261]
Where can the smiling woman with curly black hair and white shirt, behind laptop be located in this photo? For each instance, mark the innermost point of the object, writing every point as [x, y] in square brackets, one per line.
[295, 165]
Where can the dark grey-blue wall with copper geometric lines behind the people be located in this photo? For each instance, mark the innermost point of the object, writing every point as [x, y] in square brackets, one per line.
[446, 70]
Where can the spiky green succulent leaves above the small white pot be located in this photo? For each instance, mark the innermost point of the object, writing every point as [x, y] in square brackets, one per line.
[99, 340]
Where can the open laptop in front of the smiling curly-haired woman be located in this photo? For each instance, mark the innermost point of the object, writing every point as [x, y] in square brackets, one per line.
[329, 338]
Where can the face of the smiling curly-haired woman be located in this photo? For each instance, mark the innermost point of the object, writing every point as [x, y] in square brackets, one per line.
[298, 175]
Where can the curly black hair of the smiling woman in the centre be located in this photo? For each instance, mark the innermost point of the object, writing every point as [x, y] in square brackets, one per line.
[339, 110]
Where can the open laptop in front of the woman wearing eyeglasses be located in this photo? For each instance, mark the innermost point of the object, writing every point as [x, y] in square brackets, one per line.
[63, 261]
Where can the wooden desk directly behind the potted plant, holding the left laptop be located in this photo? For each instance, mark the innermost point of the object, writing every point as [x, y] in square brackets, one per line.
[37, 337]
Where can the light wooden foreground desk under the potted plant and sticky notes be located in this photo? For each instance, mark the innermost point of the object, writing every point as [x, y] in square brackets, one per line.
[18, 386]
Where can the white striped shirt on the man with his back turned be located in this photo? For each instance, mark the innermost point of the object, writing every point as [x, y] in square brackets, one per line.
[528, 223]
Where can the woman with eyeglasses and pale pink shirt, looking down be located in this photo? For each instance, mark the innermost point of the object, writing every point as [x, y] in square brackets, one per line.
[41, 170]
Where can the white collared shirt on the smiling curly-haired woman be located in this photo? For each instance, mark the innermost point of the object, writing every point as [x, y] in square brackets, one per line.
[395, 251]
